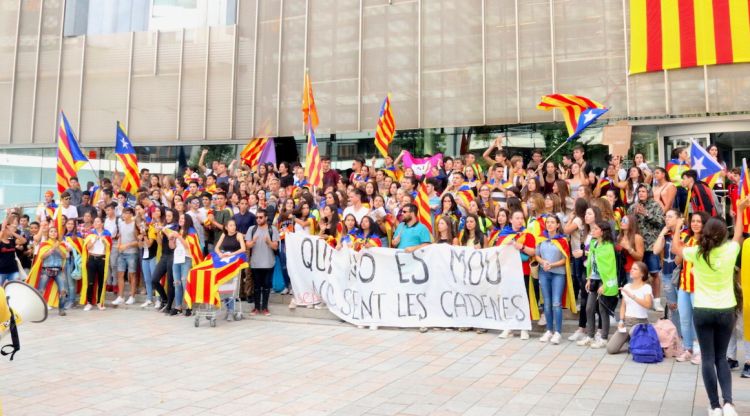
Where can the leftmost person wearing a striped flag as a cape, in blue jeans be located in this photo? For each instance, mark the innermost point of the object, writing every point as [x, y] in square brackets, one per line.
[48, 264]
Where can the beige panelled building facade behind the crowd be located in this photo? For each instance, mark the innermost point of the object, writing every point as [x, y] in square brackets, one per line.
[181, 74]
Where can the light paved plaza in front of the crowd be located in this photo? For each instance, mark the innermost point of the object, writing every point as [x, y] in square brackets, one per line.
[123, 362]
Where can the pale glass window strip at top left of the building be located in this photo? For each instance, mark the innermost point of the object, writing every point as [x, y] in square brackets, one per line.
[87, 17]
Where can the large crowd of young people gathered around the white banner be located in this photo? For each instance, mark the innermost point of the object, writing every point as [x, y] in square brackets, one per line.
[613, 243]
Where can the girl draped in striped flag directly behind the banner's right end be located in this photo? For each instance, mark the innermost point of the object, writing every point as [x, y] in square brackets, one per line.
[525, 243]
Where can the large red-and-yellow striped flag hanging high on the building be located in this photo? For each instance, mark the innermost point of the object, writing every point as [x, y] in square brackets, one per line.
[667, 34]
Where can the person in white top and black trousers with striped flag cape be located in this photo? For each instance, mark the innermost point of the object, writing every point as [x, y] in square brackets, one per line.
[95, 260]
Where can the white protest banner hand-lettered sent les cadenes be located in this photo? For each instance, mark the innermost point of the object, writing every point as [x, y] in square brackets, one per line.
[437, 286]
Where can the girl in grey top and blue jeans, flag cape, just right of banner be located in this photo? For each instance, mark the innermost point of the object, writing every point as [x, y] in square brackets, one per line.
[552, 254]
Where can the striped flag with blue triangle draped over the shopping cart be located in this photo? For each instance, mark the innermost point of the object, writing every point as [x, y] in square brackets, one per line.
[205, 277]
